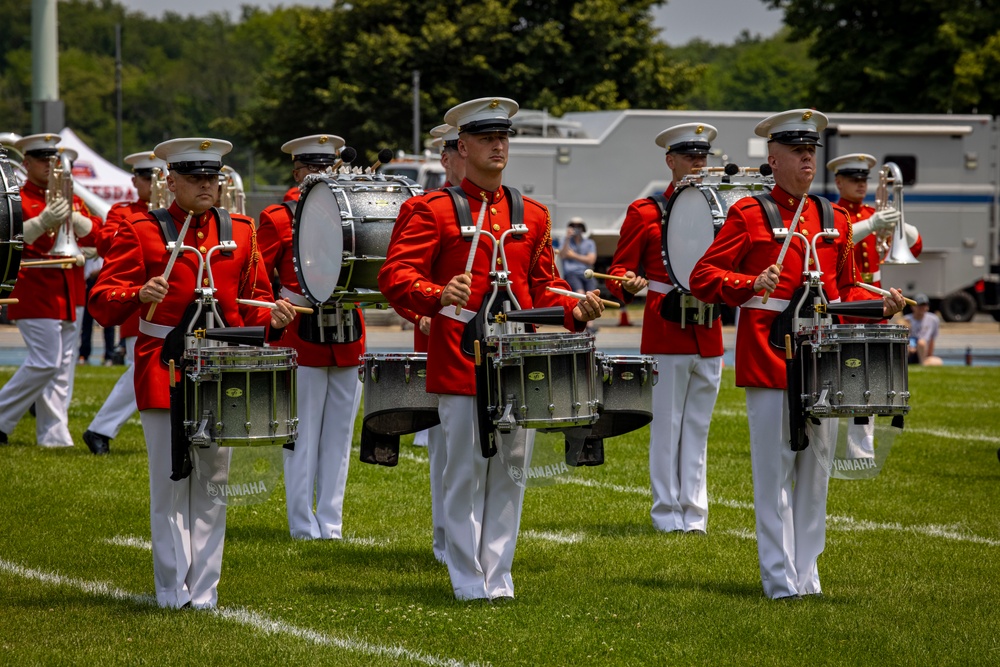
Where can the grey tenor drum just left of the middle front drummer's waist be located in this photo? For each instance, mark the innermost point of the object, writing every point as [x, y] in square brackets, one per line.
[395, 395]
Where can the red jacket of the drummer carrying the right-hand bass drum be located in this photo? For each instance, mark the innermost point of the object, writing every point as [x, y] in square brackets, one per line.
[639, 246]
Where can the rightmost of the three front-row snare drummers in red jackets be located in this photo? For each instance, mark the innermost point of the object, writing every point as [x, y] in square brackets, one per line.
[790, 487]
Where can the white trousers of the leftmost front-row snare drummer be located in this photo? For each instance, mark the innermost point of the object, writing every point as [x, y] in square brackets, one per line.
[187, 528]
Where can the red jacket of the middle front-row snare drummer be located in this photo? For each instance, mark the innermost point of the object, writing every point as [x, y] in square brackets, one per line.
[429, 251]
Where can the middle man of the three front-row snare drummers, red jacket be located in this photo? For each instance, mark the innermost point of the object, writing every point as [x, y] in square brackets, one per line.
[425, 271]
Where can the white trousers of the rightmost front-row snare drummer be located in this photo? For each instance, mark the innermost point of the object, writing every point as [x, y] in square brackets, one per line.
[789, 494]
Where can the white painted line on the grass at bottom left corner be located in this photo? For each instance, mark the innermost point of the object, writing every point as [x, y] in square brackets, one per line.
[242, 616]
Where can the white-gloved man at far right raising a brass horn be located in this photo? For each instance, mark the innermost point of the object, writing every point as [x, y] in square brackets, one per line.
[851, 177]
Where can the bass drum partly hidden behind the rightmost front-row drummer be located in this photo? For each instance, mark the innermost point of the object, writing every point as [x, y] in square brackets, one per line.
[695, 214]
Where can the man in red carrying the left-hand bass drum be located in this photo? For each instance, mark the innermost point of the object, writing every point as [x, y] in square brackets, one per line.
[329, 344]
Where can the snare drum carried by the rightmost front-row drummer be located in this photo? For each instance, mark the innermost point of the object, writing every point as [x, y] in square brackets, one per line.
[855, 369]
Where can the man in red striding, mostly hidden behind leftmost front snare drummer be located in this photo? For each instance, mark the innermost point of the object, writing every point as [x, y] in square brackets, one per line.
[120, 403]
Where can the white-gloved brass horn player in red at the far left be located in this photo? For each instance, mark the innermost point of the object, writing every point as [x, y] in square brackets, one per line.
[49, 296]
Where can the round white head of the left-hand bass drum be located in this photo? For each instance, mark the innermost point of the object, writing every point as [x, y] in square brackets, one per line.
[318, 242]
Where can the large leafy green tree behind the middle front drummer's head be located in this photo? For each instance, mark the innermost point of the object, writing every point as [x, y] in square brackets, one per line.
[350, 68]
